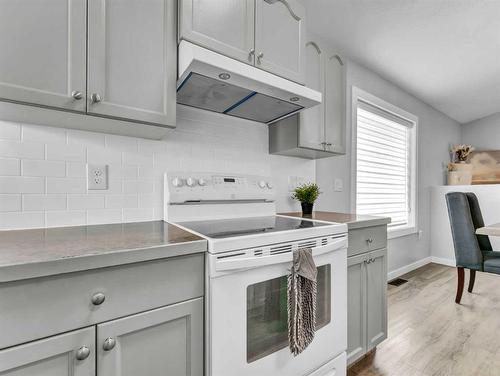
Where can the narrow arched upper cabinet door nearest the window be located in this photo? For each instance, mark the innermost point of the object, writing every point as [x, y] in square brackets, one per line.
[334, 102]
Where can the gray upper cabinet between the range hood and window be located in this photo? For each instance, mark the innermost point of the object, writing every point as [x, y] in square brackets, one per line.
[317, 132]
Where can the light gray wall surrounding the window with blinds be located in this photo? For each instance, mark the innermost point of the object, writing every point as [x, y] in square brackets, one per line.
[435, 133]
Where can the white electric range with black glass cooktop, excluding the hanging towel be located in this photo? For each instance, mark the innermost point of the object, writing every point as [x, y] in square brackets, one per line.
[249, 256]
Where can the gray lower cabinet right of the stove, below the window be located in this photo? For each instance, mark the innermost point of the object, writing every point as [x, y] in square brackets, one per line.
[367, 298]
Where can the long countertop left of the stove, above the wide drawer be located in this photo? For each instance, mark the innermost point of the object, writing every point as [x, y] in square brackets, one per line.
[41, 252]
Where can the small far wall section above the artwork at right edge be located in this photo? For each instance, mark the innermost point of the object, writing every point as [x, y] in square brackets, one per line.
[484, 134]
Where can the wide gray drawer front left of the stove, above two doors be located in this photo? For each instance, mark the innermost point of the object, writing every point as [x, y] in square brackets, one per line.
[40, 307]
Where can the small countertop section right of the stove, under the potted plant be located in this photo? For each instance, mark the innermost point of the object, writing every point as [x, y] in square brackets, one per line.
[353, 221]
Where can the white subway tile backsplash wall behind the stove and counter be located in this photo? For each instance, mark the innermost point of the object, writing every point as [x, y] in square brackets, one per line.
[42, 169]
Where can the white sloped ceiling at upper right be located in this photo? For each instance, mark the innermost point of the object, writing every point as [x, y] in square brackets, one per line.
[445, 52]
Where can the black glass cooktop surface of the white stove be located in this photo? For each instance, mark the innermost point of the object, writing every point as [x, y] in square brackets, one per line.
[226, 228]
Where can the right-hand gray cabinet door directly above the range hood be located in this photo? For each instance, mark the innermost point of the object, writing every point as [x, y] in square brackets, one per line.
[279, 38]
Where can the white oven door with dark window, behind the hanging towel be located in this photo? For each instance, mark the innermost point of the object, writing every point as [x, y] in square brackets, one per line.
[247, 313]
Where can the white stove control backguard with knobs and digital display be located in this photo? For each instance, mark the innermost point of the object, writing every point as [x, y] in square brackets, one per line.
[182, 187]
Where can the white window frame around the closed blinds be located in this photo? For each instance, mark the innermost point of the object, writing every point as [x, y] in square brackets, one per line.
[360, 95]
